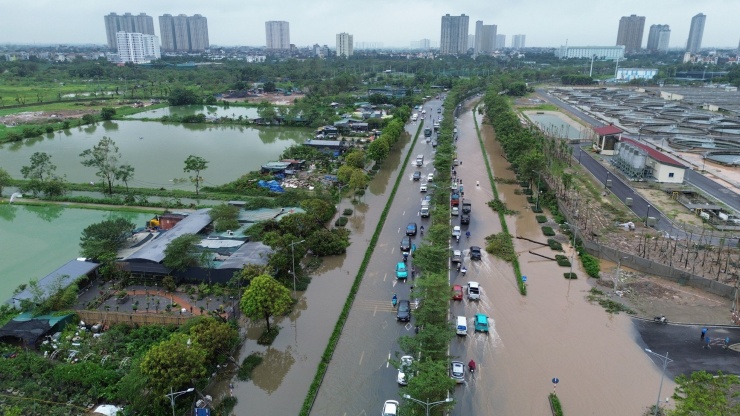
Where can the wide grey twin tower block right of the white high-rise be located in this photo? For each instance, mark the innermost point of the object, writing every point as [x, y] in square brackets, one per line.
[184, 34]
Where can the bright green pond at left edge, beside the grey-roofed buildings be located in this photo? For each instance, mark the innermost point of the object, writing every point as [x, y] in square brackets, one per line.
[35, 241]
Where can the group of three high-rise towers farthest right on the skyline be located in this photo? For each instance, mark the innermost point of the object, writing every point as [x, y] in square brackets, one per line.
[631, 29]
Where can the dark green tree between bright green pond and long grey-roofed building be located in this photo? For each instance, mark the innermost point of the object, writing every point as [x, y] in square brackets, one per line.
[103, 239]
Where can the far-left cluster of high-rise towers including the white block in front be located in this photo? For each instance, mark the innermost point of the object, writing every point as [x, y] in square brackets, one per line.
[133, 36]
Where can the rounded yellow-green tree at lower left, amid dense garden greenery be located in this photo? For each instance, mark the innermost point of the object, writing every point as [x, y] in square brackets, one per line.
[174, 364]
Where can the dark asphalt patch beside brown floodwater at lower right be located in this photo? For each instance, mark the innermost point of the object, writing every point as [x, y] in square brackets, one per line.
[684, 345]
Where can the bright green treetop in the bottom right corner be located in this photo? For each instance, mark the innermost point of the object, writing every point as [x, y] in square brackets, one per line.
[702, 393]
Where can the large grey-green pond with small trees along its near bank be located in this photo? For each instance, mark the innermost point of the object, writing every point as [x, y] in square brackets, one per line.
[157, 151]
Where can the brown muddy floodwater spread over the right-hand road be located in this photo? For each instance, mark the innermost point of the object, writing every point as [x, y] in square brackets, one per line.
[552, 332]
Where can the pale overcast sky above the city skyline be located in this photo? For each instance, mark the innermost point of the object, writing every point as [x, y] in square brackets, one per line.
[387, 22]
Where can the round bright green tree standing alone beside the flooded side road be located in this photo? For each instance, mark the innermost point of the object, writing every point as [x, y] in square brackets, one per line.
[264, 298]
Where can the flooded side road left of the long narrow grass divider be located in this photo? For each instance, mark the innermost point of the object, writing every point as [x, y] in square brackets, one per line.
[280, 384]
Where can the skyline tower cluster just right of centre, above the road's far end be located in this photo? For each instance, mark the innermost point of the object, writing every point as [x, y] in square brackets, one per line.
[455, 39]
